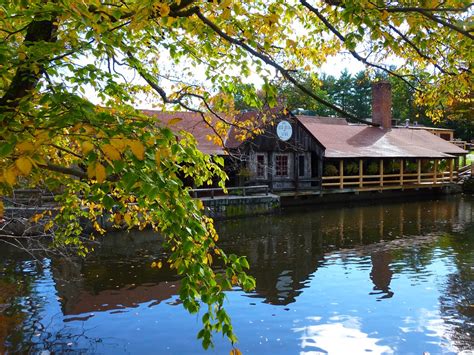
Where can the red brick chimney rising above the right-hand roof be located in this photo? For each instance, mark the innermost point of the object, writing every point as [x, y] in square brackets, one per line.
[382, 104]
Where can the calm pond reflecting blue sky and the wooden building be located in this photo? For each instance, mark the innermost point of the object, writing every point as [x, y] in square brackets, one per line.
[395, 277]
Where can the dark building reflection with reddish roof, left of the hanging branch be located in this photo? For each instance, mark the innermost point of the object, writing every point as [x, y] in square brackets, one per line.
[107, 283]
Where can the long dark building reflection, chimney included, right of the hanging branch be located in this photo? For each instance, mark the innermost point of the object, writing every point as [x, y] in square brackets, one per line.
[284, 250]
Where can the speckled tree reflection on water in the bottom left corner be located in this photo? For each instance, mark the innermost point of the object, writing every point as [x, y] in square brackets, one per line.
[22, 325]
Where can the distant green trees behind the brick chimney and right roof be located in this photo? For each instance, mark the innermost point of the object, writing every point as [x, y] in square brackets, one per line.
[353, 93]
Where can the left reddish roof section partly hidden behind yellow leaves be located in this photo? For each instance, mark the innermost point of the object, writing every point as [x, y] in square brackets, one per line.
[193, 123]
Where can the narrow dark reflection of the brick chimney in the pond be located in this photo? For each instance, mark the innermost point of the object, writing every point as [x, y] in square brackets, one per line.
[381, 274]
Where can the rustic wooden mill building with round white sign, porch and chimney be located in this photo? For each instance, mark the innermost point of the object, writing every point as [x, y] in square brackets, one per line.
[297, 152]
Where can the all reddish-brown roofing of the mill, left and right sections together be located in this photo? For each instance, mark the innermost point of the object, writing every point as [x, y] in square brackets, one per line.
[340, 139]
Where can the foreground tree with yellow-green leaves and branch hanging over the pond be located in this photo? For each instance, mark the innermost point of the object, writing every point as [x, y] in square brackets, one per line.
[58, 56]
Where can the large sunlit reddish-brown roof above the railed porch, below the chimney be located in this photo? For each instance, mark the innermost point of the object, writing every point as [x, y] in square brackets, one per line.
[357, 141]
